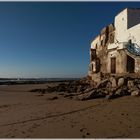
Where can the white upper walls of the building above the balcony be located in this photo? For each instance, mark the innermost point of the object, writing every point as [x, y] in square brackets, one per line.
[128, 18]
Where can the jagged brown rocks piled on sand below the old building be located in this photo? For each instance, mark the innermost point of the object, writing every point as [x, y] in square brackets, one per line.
[84, 89]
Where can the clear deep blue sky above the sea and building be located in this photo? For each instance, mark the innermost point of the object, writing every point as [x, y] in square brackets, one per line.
[51, 39]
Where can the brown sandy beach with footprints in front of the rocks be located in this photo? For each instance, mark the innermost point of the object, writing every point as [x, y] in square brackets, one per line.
[26, 114]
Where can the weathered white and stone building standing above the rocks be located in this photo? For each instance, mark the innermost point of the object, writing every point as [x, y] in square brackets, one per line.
[116, 50]
